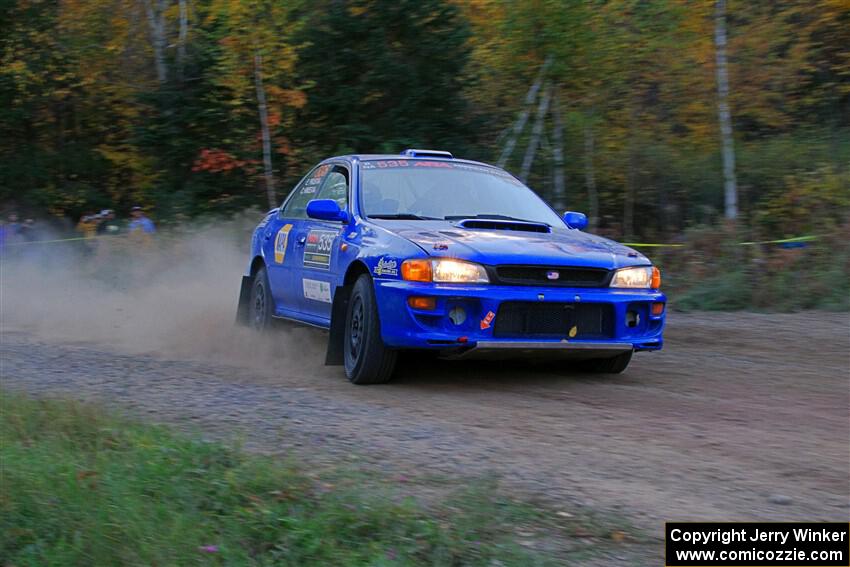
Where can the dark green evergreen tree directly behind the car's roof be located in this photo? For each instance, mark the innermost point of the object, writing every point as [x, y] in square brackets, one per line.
[383, 75]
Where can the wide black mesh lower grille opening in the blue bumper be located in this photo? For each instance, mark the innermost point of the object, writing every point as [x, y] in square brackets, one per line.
[554, 320]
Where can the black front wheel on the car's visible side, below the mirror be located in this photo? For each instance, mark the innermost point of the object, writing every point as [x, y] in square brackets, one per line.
[367, 360]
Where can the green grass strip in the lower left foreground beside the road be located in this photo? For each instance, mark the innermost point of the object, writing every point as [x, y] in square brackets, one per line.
[79, 486]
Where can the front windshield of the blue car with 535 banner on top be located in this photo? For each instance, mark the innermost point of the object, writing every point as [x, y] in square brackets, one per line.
[430, 189]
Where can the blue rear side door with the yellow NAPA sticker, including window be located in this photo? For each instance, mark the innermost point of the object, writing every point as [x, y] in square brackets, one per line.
[281, 248]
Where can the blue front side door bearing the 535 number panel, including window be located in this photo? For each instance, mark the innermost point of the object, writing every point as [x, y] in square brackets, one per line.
[318, 244]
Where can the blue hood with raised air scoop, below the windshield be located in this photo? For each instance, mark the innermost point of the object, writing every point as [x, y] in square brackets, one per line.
[560, 247]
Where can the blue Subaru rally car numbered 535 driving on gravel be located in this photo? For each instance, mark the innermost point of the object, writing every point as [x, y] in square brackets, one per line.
[424, 251]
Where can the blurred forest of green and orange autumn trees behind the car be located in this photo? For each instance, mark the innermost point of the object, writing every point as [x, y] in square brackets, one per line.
[175, 103]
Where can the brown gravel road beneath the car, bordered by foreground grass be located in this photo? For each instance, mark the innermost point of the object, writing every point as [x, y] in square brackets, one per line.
[741, 417]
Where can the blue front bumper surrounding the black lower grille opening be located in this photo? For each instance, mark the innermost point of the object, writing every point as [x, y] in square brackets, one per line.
[405, 327]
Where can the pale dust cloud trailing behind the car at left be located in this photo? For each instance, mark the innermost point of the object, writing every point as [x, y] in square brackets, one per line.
[174, 296]
